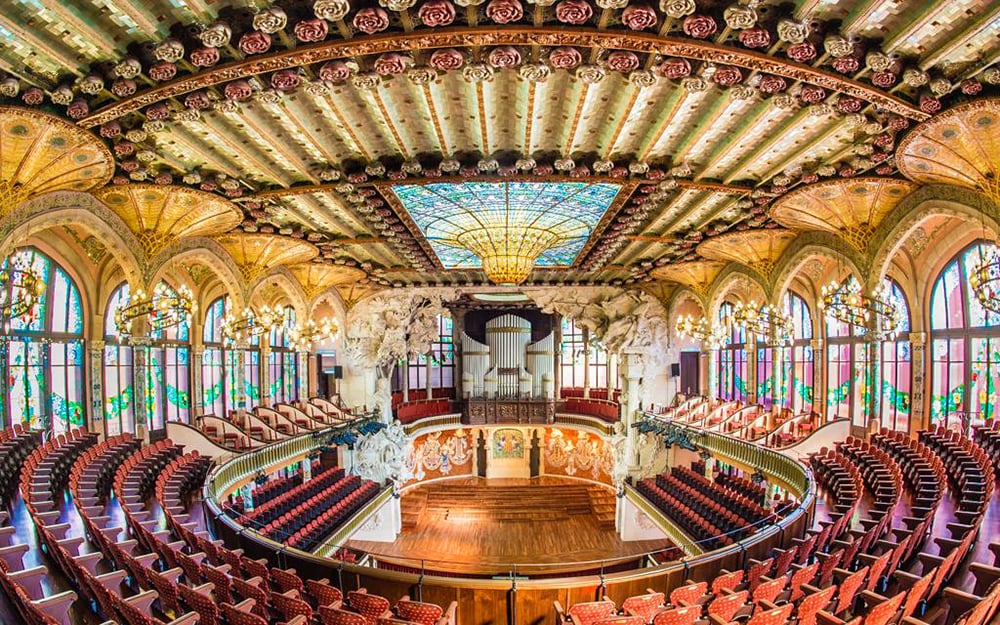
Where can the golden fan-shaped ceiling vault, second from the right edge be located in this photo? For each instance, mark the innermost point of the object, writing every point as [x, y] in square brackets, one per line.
[849, 208]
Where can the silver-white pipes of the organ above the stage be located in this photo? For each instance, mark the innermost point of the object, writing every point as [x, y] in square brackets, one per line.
[508, 365]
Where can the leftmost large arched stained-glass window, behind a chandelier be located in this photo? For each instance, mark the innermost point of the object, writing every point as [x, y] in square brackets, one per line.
[43, 352]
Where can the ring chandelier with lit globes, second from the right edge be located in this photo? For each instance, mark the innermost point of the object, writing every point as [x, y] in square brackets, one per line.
[874, 316]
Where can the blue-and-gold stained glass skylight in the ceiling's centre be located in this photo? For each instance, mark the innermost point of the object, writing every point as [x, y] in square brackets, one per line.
[562, 213]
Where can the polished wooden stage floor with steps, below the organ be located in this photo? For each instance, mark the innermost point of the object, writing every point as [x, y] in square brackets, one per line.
[474, 525]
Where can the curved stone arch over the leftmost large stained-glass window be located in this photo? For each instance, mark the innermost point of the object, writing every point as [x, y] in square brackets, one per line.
[73, 208]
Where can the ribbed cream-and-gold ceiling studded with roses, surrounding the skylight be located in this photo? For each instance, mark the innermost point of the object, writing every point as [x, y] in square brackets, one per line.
[306, 114]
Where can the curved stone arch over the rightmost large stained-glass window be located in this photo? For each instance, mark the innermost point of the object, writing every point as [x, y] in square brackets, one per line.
[926, 202]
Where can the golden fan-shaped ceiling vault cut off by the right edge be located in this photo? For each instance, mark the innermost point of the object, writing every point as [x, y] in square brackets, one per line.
[960, 146]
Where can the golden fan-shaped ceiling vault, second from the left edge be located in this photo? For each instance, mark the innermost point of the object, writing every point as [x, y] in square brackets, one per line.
[160, 215]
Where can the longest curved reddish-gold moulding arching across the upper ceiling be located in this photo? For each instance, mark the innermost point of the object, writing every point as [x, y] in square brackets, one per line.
[646, 43]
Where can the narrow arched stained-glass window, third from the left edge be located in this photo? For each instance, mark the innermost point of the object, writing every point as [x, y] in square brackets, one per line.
[218, 365]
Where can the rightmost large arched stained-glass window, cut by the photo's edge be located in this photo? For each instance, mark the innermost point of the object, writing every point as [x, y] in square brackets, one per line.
[965, 345]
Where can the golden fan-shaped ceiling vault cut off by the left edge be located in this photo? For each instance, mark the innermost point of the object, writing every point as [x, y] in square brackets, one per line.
[40, 153]
